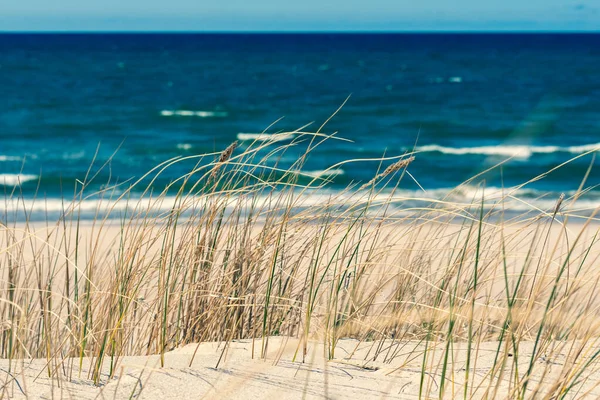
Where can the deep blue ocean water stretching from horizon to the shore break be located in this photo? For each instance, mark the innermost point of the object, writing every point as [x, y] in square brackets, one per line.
[465, 102]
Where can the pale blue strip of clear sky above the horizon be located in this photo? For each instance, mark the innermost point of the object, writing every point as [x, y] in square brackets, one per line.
[299, 15]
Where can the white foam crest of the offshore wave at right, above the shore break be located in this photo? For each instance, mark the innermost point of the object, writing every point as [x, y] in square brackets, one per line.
[519, 151]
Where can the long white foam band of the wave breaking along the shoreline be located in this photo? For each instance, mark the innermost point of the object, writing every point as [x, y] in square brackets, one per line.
[403, 201]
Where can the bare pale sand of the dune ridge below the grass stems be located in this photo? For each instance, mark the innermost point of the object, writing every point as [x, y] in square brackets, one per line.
[239, 376]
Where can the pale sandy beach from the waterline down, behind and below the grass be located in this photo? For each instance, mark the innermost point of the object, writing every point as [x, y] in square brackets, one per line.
[396, 347]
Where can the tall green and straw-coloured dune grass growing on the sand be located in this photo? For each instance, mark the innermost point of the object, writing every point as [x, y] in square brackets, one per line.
[242, 248]
